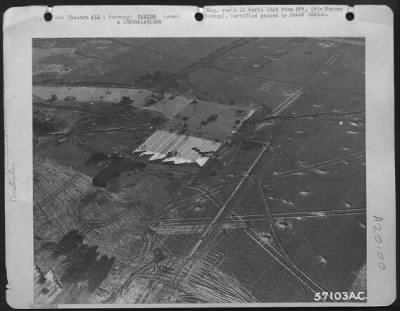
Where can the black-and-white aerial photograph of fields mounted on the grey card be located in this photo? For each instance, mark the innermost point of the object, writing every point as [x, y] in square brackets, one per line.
[199, 170]
